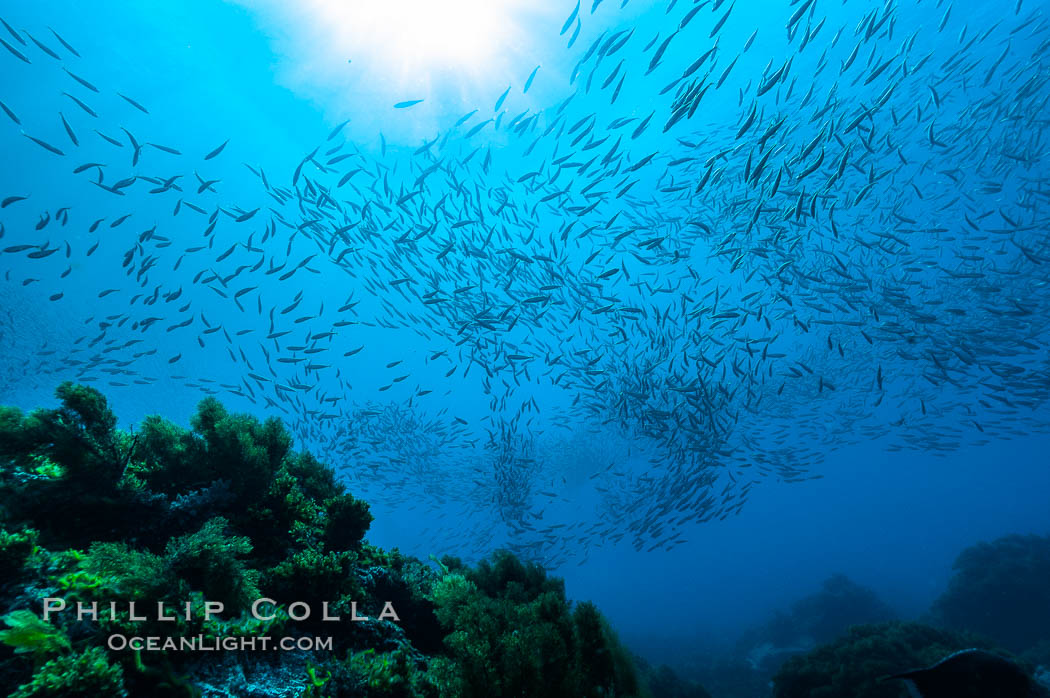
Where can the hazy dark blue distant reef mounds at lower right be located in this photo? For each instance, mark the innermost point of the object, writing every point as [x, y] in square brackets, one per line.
[839, 642]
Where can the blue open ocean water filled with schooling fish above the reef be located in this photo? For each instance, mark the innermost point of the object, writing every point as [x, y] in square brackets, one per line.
[734, 298]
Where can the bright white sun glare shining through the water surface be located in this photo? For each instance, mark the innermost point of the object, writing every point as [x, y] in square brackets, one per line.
[450, 55]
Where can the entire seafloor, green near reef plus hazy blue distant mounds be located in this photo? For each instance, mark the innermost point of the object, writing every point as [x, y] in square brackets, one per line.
[227, 513]
